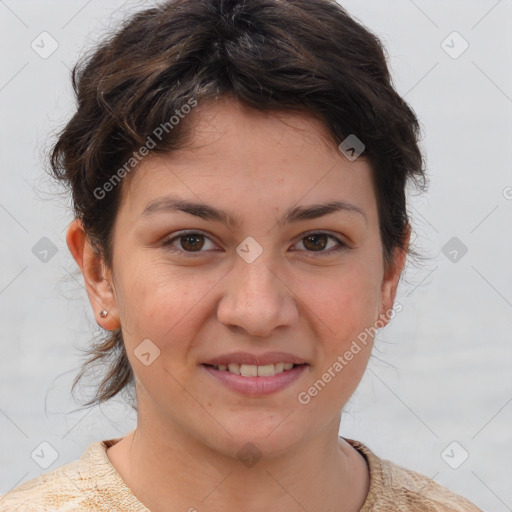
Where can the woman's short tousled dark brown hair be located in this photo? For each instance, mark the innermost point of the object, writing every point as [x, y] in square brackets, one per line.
[294, 55]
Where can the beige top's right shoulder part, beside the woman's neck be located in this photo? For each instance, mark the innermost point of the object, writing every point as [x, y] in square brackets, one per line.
[393, 487]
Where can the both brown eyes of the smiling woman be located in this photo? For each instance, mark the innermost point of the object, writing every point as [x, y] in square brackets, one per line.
[193, 242]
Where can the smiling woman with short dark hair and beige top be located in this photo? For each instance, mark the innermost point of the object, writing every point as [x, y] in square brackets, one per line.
[238, 174]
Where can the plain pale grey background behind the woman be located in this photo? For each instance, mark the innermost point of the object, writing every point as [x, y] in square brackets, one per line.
[440, 371]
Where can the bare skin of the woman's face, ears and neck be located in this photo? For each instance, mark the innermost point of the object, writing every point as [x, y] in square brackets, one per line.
[197, 305]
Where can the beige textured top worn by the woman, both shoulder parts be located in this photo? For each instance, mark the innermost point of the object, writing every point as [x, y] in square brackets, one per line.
[91, 483]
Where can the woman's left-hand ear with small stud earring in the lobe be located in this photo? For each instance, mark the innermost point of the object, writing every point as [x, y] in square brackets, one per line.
[98, 282]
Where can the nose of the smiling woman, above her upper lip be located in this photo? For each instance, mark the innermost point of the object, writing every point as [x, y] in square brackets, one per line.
[256, 299]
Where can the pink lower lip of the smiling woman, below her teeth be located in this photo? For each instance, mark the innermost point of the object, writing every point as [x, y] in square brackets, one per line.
[256, 386]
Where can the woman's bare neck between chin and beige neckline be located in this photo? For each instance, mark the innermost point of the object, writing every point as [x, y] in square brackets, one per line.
[168, 470]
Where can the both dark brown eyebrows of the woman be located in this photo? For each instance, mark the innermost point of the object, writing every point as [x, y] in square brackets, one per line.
[208, 212]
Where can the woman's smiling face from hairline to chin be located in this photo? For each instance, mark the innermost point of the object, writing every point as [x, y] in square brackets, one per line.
[270, 279]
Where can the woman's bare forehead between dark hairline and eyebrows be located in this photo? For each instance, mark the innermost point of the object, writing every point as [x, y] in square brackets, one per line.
[248, 156]
